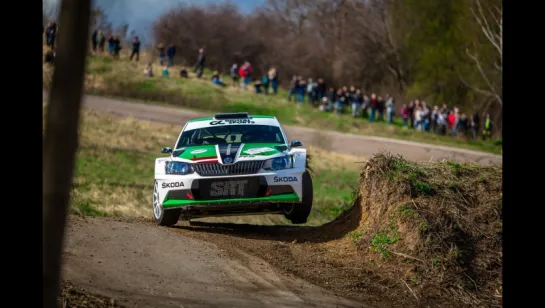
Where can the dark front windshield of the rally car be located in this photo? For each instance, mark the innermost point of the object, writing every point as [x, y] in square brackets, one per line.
[231, 134]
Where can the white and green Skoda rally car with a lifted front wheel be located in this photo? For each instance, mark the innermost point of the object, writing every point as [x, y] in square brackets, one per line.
[232, 164]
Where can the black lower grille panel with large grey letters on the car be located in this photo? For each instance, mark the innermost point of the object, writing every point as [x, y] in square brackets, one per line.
[229, 188]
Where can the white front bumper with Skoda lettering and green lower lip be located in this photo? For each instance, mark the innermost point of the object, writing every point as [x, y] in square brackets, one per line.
[260, 190]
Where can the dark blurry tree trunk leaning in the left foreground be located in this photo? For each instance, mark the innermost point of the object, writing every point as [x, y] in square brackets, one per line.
[61, 139]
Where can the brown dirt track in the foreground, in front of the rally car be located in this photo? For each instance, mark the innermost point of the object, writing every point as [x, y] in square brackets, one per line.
[146, 266]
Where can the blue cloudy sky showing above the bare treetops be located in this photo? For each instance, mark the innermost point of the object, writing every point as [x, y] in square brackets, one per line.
[140, 14]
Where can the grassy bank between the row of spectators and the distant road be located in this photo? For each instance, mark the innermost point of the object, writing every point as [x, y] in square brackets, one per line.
[121, 79]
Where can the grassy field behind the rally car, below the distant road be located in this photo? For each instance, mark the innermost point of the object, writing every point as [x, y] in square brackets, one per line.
[114, 172]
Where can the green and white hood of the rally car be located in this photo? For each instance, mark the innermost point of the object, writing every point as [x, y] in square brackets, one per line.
[230, 152]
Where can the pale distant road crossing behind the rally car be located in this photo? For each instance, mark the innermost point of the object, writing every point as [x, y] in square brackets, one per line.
[358, 145]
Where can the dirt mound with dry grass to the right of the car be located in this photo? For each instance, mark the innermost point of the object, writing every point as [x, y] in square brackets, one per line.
[437, 225]
